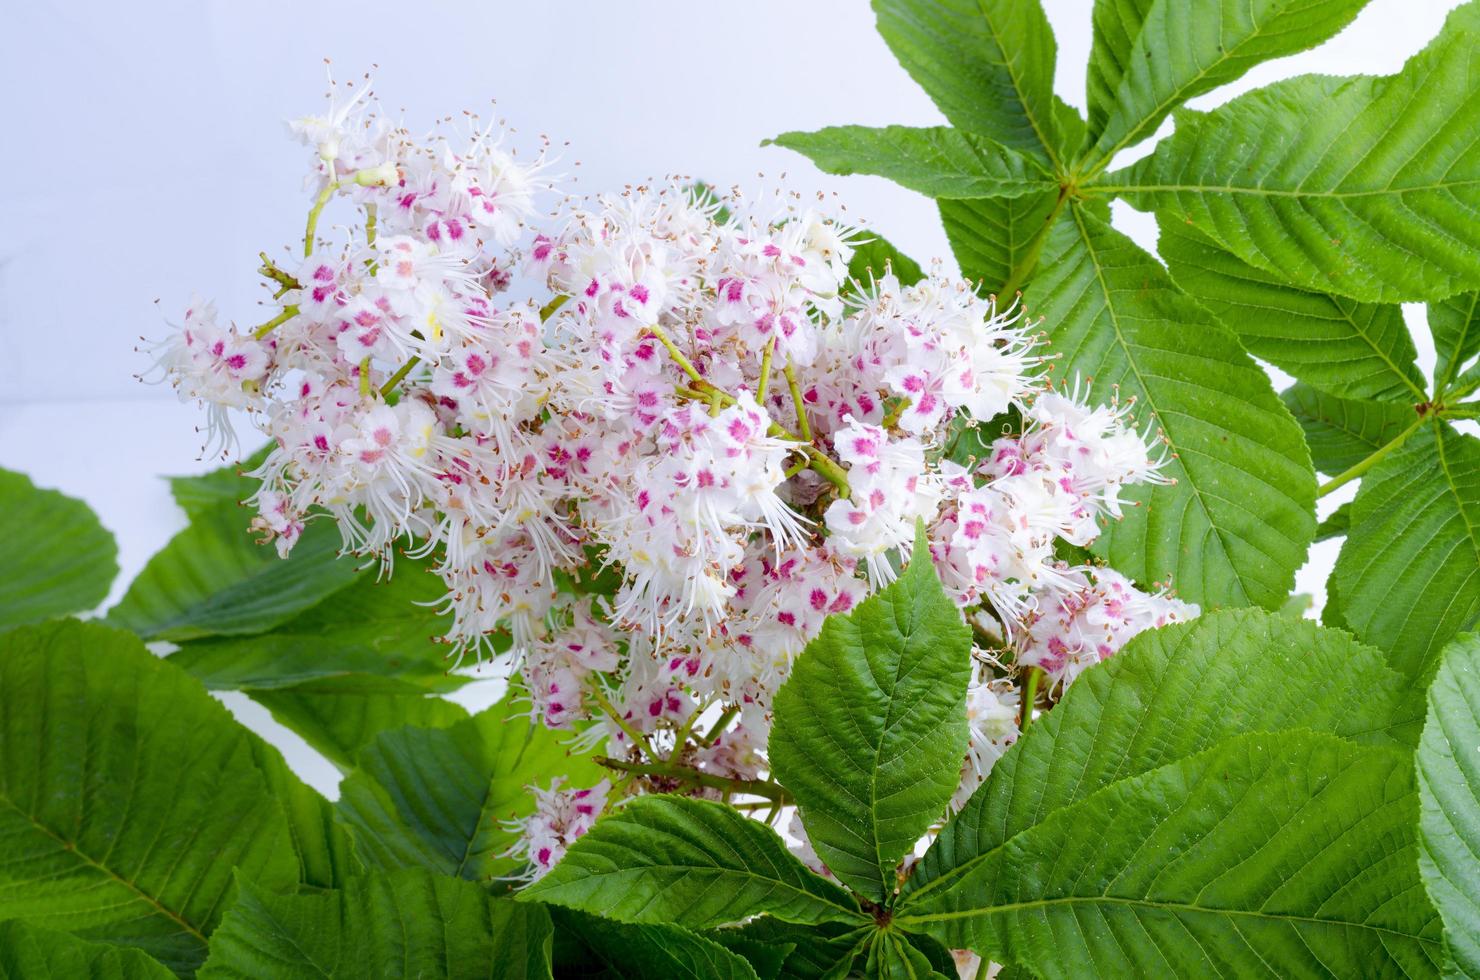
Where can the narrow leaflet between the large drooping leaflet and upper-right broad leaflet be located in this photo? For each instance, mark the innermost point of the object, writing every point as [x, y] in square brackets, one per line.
[1343, 347]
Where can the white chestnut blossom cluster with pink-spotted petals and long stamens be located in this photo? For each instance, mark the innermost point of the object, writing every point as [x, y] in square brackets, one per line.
[689, 392]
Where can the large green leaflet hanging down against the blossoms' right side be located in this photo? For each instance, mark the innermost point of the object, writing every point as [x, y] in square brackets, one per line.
[1237, 525]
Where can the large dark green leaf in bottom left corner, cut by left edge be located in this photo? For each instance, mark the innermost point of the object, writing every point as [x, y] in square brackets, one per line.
[128, 796]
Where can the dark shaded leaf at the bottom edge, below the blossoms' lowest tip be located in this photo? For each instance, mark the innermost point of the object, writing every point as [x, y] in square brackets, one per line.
[591, 947]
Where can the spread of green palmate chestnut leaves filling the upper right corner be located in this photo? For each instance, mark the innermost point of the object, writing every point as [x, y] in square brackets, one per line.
[1294, 221]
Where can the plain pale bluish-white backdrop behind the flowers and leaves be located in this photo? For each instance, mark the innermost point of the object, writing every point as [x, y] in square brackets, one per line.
[144, 161]
